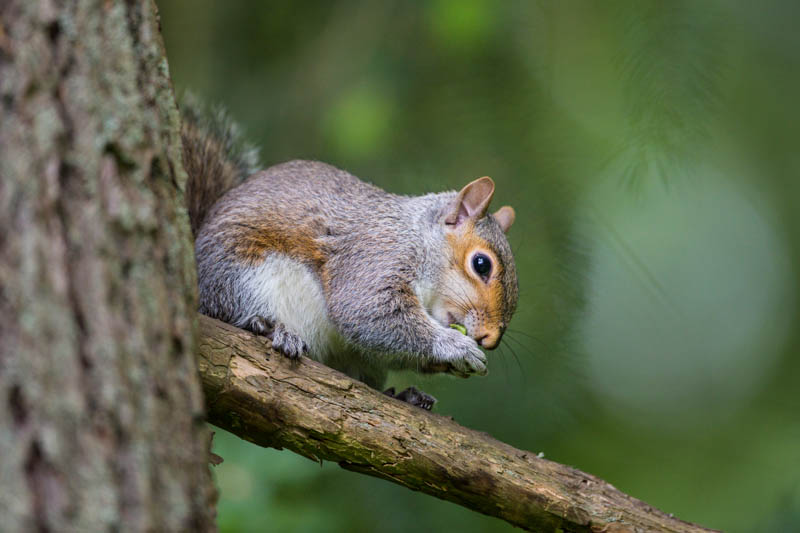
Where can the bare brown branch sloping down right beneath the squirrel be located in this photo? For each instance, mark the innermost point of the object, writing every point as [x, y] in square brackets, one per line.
[261, 396]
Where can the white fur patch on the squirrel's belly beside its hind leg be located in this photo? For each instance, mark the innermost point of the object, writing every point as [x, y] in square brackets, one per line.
[287, 291]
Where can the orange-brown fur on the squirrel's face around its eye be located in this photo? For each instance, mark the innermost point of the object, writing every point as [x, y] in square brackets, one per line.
[464, 244]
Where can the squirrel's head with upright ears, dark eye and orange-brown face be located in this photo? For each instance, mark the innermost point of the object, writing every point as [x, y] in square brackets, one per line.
[478, 288]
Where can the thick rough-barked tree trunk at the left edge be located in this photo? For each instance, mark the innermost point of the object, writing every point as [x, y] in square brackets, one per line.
[101, 410]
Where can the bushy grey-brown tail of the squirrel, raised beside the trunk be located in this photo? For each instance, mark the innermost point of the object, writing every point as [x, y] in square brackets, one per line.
[215, 156]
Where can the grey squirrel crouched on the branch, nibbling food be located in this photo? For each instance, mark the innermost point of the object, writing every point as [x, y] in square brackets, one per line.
[329, 266]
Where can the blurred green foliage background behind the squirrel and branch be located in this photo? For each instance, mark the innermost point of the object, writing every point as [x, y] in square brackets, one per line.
[651, 152]
